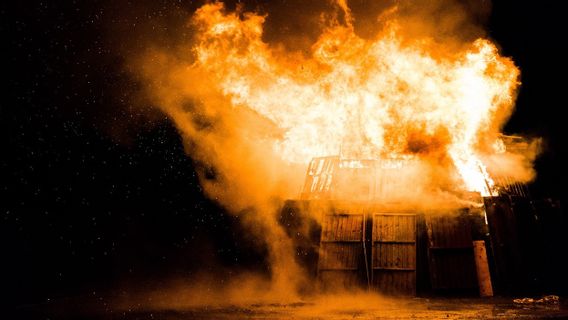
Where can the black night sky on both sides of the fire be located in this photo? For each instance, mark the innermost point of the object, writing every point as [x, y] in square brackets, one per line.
[97, 193]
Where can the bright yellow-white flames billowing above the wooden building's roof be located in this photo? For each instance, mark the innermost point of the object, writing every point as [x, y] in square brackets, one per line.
[378, 98]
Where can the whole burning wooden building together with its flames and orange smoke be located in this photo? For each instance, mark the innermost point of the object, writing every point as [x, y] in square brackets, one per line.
[401, 134]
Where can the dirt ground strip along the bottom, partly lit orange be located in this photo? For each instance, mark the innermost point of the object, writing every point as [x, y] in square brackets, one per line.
[317, 308]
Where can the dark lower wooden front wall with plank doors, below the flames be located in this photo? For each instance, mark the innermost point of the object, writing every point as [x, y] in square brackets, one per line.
[369, 247]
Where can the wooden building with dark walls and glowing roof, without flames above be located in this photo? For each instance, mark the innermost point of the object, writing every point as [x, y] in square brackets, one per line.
[368, 234]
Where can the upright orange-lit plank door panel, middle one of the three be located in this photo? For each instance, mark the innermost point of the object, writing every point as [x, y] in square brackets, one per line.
[394, 253]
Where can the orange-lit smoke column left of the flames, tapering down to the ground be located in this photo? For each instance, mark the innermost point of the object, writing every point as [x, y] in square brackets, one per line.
[235, 166]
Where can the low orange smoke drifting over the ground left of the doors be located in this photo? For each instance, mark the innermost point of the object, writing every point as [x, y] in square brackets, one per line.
[214, 300]
